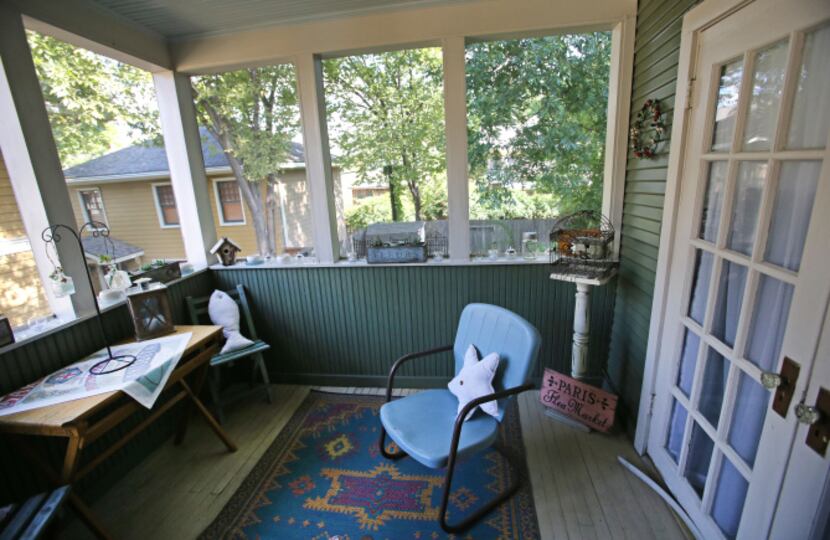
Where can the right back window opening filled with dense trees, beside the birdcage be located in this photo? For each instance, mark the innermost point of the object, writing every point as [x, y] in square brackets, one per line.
[536, 121]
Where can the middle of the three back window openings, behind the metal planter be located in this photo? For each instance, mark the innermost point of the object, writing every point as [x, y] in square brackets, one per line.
[385, 113]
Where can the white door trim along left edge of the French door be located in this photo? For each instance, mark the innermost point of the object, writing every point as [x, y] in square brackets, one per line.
[695, 21]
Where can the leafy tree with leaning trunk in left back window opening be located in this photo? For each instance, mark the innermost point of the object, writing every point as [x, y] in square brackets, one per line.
[254, 114]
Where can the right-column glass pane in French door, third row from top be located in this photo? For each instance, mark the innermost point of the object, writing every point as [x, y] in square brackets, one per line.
[769, 321]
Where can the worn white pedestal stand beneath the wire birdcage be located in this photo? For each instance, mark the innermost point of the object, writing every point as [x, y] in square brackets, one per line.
[580, 369]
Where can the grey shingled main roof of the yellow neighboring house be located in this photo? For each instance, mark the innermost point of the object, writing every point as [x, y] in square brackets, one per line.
[150, 159]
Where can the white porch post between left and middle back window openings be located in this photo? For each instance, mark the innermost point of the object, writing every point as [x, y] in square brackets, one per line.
[317, 157]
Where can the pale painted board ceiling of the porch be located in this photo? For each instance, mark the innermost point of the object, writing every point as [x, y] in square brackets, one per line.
[177, 19]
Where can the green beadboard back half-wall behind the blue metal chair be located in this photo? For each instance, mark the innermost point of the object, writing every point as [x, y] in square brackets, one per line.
[347, 325]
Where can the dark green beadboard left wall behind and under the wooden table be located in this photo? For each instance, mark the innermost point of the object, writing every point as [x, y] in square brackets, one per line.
[27, 362]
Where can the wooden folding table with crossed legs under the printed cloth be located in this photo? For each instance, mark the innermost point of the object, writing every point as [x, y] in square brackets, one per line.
[83, 421]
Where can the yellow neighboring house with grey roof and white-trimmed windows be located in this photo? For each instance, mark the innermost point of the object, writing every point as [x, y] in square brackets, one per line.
[130, 191]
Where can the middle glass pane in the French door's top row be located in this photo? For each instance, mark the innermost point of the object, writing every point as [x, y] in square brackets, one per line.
[767, 85]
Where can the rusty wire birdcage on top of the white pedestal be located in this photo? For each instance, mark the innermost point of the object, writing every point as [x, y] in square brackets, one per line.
[583, 244]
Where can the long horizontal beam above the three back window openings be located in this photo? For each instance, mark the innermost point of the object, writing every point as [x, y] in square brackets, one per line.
[422, 26]
